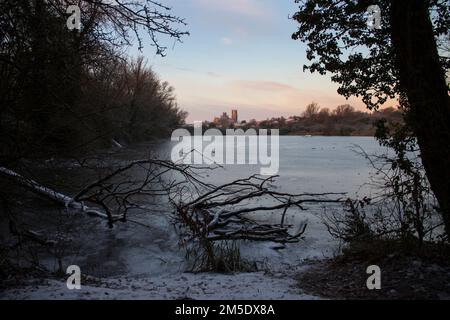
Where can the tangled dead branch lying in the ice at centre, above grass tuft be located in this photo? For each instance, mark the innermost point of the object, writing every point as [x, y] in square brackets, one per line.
[223, 213]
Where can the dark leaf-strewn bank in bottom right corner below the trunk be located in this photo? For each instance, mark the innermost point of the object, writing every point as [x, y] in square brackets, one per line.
[407, 272]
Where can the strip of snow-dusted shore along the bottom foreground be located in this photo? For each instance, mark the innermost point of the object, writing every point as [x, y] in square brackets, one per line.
[245, 286]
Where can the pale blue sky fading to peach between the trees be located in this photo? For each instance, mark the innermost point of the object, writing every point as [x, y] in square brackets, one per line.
[240, 55]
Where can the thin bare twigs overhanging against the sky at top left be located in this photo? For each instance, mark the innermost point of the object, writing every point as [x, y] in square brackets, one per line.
[127, 20]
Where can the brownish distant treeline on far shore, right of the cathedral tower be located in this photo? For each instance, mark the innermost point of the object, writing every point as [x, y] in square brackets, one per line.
[342, 121]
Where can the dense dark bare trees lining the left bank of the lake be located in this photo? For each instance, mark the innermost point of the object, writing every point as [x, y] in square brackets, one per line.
[63, 91]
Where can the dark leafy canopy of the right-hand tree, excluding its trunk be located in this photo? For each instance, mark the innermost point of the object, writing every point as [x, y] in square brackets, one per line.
[360, 59]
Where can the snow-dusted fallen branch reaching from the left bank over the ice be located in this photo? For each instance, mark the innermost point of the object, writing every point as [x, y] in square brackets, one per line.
[113, 195]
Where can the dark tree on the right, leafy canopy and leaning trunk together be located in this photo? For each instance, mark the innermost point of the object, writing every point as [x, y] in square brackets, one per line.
[401, 59]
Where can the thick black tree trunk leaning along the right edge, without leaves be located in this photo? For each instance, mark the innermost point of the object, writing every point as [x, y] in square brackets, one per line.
[422, 78]
